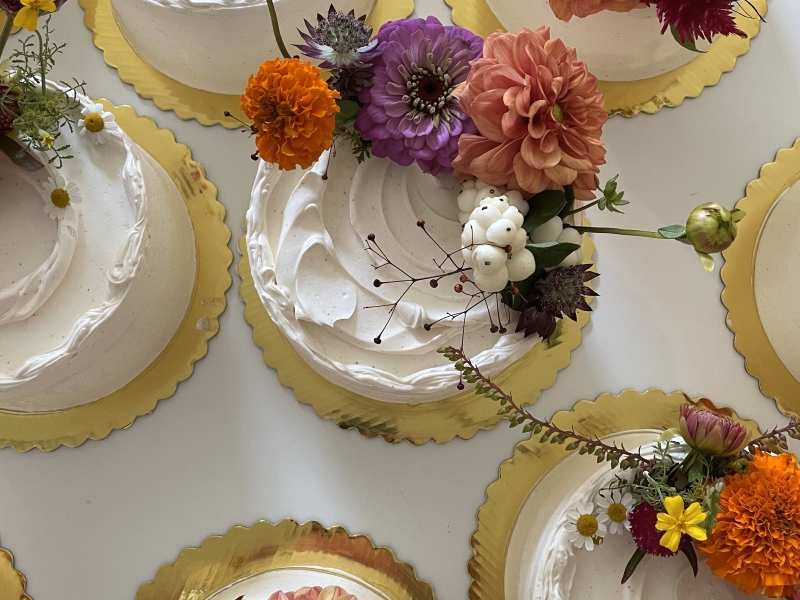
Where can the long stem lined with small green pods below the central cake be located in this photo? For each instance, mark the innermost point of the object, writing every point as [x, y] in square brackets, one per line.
[616, 455]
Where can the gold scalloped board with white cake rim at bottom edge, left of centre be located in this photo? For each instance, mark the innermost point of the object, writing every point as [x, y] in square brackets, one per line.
[262, 559]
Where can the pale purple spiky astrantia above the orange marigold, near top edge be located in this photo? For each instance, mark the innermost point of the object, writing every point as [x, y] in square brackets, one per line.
[340, 41]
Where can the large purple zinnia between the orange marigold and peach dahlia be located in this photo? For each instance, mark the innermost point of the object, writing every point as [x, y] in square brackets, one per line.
[410, 112]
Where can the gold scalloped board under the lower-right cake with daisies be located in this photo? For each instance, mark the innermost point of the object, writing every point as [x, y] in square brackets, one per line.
[606, 415]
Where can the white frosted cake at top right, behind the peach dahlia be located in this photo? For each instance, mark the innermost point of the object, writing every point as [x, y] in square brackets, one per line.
[616, 46]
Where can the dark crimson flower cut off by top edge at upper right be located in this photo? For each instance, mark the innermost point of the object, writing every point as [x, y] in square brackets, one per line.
[694, 19]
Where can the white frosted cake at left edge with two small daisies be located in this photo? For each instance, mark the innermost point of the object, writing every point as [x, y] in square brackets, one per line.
[92, 334]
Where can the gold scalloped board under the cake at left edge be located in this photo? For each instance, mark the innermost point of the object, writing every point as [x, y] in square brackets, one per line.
[73, 426]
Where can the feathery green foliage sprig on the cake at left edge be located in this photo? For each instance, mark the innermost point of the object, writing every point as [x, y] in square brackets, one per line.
[41, 112]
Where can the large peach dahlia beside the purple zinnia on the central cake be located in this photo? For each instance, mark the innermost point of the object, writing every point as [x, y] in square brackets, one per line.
[539, 116]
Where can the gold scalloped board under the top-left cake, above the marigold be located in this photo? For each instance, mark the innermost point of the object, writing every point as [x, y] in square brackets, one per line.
[207, 108]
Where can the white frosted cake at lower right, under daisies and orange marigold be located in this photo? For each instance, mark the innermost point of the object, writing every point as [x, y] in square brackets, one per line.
[549, 567]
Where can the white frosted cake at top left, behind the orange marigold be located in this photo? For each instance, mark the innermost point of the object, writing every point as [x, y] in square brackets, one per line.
[215, 45]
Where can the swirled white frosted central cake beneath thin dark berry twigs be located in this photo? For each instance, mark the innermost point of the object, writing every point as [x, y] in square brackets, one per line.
[306, 241]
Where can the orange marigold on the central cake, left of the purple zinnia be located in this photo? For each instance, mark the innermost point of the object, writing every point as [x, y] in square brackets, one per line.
[293, 109]
